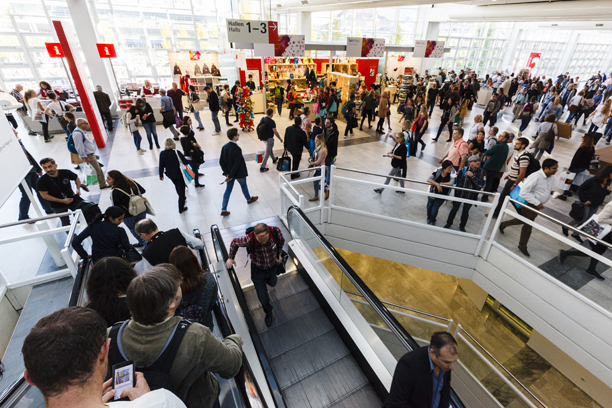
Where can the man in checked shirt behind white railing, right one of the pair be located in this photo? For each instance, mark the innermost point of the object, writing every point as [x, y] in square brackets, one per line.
[470, 177]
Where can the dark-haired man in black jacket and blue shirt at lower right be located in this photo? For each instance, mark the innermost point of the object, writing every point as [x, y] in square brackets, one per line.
[422, 377]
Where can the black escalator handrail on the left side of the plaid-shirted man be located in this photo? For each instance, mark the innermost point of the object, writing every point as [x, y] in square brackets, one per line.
[257, 343]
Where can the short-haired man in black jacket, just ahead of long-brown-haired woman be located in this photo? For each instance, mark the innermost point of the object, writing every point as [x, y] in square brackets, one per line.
[161, 243]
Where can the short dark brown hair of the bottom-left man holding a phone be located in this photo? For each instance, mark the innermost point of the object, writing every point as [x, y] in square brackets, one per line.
[61, 350]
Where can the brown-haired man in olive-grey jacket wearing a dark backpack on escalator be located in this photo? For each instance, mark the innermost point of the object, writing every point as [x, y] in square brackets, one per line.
[171, 352]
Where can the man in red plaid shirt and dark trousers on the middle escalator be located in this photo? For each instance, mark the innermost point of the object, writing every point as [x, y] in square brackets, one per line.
[264, 258]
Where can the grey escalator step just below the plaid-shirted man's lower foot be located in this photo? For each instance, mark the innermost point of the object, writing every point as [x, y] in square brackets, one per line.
[281, 338]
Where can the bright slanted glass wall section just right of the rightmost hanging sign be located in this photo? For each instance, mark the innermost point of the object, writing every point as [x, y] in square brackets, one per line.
[478, 46]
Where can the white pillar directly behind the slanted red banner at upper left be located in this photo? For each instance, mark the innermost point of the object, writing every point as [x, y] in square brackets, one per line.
[86, 32]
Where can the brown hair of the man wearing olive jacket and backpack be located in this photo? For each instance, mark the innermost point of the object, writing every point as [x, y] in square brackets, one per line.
[150, 294]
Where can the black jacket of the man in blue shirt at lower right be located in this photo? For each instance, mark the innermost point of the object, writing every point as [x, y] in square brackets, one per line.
[412, 385]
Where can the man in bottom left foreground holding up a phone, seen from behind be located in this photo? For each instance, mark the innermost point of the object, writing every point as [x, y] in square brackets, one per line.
[74, 342]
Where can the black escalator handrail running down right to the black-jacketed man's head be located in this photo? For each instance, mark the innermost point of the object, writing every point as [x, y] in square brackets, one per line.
[400, 332]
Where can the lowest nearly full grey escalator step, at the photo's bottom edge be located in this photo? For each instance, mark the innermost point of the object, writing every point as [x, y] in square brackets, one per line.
[327, 386]
